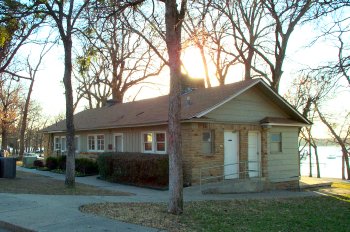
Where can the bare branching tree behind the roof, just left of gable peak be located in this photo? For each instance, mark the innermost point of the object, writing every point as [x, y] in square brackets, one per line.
[247, 32]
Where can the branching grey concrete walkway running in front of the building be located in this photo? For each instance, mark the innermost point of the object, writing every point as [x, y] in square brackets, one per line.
[61, 212]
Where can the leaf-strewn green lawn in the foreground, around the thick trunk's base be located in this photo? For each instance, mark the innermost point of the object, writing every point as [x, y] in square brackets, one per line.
[323, 213]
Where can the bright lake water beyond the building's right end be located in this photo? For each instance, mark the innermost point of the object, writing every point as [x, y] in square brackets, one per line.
[330, 158]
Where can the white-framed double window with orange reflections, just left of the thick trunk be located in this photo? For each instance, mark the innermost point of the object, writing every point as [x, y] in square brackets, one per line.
[154, 142]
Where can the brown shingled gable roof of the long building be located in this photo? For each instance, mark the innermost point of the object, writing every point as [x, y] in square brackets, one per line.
[154, 111]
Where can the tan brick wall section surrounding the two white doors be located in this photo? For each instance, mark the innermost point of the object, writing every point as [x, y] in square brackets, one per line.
[194, 159]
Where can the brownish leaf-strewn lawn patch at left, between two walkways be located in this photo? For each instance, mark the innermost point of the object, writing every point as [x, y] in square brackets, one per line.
[29, 183]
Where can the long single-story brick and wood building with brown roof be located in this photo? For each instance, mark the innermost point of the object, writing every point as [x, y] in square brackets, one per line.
[240, 130]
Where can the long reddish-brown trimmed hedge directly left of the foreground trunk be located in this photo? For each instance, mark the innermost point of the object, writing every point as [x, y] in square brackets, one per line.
[135, 168]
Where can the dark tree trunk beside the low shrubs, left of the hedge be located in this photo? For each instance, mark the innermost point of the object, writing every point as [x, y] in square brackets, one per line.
[67, 80]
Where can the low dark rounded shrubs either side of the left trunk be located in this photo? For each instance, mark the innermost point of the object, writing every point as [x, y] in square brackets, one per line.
[82, 165]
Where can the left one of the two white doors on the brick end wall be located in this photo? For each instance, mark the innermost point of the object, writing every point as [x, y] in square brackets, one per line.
[231, 155]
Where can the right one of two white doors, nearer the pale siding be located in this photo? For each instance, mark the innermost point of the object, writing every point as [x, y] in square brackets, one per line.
[254, 153]
